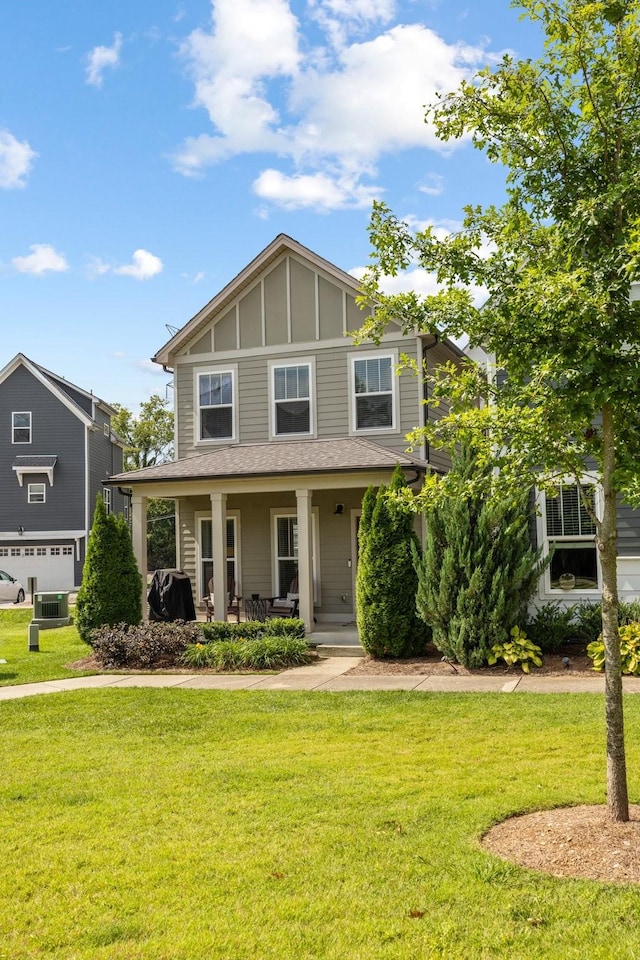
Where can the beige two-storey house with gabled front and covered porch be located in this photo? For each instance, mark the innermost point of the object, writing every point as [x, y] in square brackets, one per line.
[281, 424]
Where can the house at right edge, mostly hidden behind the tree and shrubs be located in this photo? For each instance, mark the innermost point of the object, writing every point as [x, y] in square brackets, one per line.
[564, 526]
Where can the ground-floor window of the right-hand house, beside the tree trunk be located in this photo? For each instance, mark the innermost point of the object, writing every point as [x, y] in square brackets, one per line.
[570, 532]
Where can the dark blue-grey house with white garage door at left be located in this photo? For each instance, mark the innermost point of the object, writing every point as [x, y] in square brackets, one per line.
[56, 450]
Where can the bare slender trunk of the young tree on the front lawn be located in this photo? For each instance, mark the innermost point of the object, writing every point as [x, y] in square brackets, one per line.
[617, 796]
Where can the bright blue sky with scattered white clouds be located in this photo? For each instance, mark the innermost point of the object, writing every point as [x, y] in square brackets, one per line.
[149, 150]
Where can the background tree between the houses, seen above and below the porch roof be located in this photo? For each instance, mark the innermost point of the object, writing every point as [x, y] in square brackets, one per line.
[149, 438]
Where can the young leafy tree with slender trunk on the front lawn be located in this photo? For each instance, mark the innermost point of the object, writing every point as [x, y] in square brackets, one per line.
[557, 260]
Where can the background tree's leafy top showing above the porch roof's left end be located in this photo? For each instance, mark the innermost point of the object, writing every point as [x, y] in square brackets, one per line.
[149, 436]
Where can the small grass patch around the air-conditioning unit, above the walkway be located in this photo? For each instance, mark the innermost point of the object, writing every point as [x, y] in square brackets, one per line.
[57, 648]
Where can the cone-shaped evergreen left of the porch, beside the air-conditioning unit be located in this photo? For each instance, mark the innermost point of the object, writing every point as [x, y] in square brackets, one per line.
[111, 588]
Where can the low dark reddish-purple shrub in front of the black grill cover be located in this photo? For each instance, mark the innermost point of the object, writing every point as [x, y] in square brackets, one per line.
[143, 646]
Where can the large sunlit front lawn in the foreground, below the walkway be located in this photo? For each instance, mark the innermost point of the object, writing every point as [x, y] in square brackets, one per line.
[196, 825]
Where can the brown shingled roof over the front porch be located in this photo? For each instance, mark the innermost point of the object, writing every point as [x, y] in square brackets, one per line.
[342, 455]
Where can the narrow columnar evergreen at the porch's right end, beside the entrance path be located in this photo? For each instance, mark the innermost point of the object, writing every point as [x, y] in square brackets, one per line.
[386, 580]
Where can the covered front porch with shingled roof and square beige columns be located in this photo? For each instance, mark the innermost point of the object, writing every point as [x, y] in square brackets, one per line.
[260, 520]
